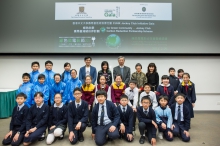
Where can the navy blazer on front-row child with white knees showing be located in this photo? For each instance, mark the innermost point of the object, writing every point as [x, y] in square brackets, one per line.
[58, 117]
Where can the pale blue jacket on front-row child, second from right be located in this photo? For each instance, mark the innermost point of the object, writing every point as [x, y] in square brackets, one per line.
[164, 115]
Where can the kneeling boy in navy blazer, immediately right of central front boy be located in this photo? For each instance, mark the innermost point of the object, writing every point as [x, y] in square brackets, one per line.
[126, 119]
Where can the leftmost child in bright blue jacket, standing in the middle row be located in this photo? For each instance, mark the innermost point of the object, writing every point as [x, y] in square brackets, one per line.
[27, 89]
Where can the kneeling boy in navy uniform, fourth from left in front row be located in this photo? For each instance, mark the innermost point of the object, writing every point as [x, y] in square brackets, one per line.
[77, 117]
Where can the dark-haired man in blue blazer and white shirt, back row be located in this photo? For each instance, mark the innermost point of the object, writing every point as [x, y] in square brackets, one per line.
[87, 70]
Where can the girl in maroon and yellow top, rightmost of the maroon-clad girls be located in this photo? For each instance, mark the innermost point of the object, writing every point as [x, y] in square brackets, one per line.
[117, 89]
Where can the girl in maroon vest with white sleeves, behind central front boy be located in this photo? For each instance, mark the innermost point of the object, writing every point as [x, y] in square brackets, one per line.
[103, 86]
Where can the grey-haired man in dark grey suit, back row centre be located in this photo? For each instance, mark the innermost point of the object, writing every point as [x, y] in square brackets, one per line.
[123, 70]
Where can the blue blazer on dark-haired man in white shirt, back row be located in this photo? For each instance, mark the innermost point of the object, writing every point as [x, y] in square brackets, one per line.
[82, 74]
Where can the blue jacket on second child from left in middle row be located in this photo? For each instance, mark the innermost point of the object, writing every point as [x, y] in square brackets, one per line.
[42, 88]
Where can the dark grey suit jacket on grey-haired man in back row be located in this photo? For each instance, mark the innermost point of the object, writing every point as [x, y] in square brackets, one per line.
[126, 74]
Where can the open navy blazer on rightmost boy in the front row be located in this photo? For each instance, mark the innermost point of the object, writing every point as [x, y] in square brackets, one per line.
[186, 116]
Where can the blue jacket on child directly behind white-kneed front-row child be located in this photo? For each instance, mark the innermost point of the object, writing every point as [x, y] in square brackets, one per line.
[58, 88]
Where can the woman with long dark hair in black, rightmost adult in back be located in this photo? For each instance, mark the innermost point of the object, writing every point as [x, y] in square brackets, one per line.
[152, 76]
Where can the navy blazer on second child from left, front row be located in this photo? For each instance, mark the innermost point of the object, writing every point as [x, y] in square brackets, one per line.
[37, 118]
